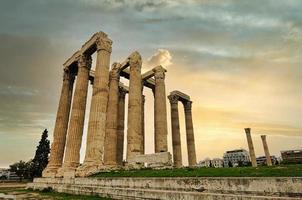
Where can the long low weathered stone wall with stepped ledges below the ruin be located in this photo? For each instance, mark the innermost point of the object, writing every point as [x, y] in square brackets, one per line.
[177, 188]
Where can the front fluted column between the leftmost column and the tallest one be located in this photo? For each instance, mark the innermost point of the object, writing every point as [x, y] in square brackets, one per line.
[76, 125]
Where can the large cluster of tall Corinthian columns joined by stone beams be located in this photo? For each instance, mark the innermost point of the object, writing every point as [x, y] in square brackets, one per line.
[105, 135]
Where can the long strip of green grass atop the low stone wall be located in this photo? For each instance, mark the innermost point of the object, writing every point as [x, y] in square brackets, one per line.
[264, 171]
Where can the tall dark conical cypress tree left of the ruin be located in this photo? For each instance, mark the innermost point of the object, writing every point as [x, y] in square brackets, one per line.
[41, 157]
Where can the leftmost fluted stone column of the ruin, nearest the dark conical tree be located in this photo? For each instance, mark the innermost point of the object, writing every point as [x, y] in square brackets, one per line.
[61, 125]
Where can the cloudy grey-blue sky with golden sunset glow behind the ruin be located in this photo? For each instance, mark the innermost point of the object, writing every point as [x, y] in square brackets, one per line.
[240, 61]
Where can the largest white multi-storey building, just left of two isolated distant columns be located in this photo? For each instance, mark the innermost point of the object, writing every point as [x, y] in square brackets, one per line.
[235, 157]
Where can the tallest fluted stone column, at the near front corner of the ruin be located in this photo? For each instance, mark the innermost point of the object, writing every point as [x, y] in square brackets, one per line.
[98, 109]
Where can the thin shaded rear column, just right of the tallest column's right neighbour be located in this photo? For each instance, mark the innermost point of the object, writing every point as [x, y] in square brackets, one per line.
[120, 126]
